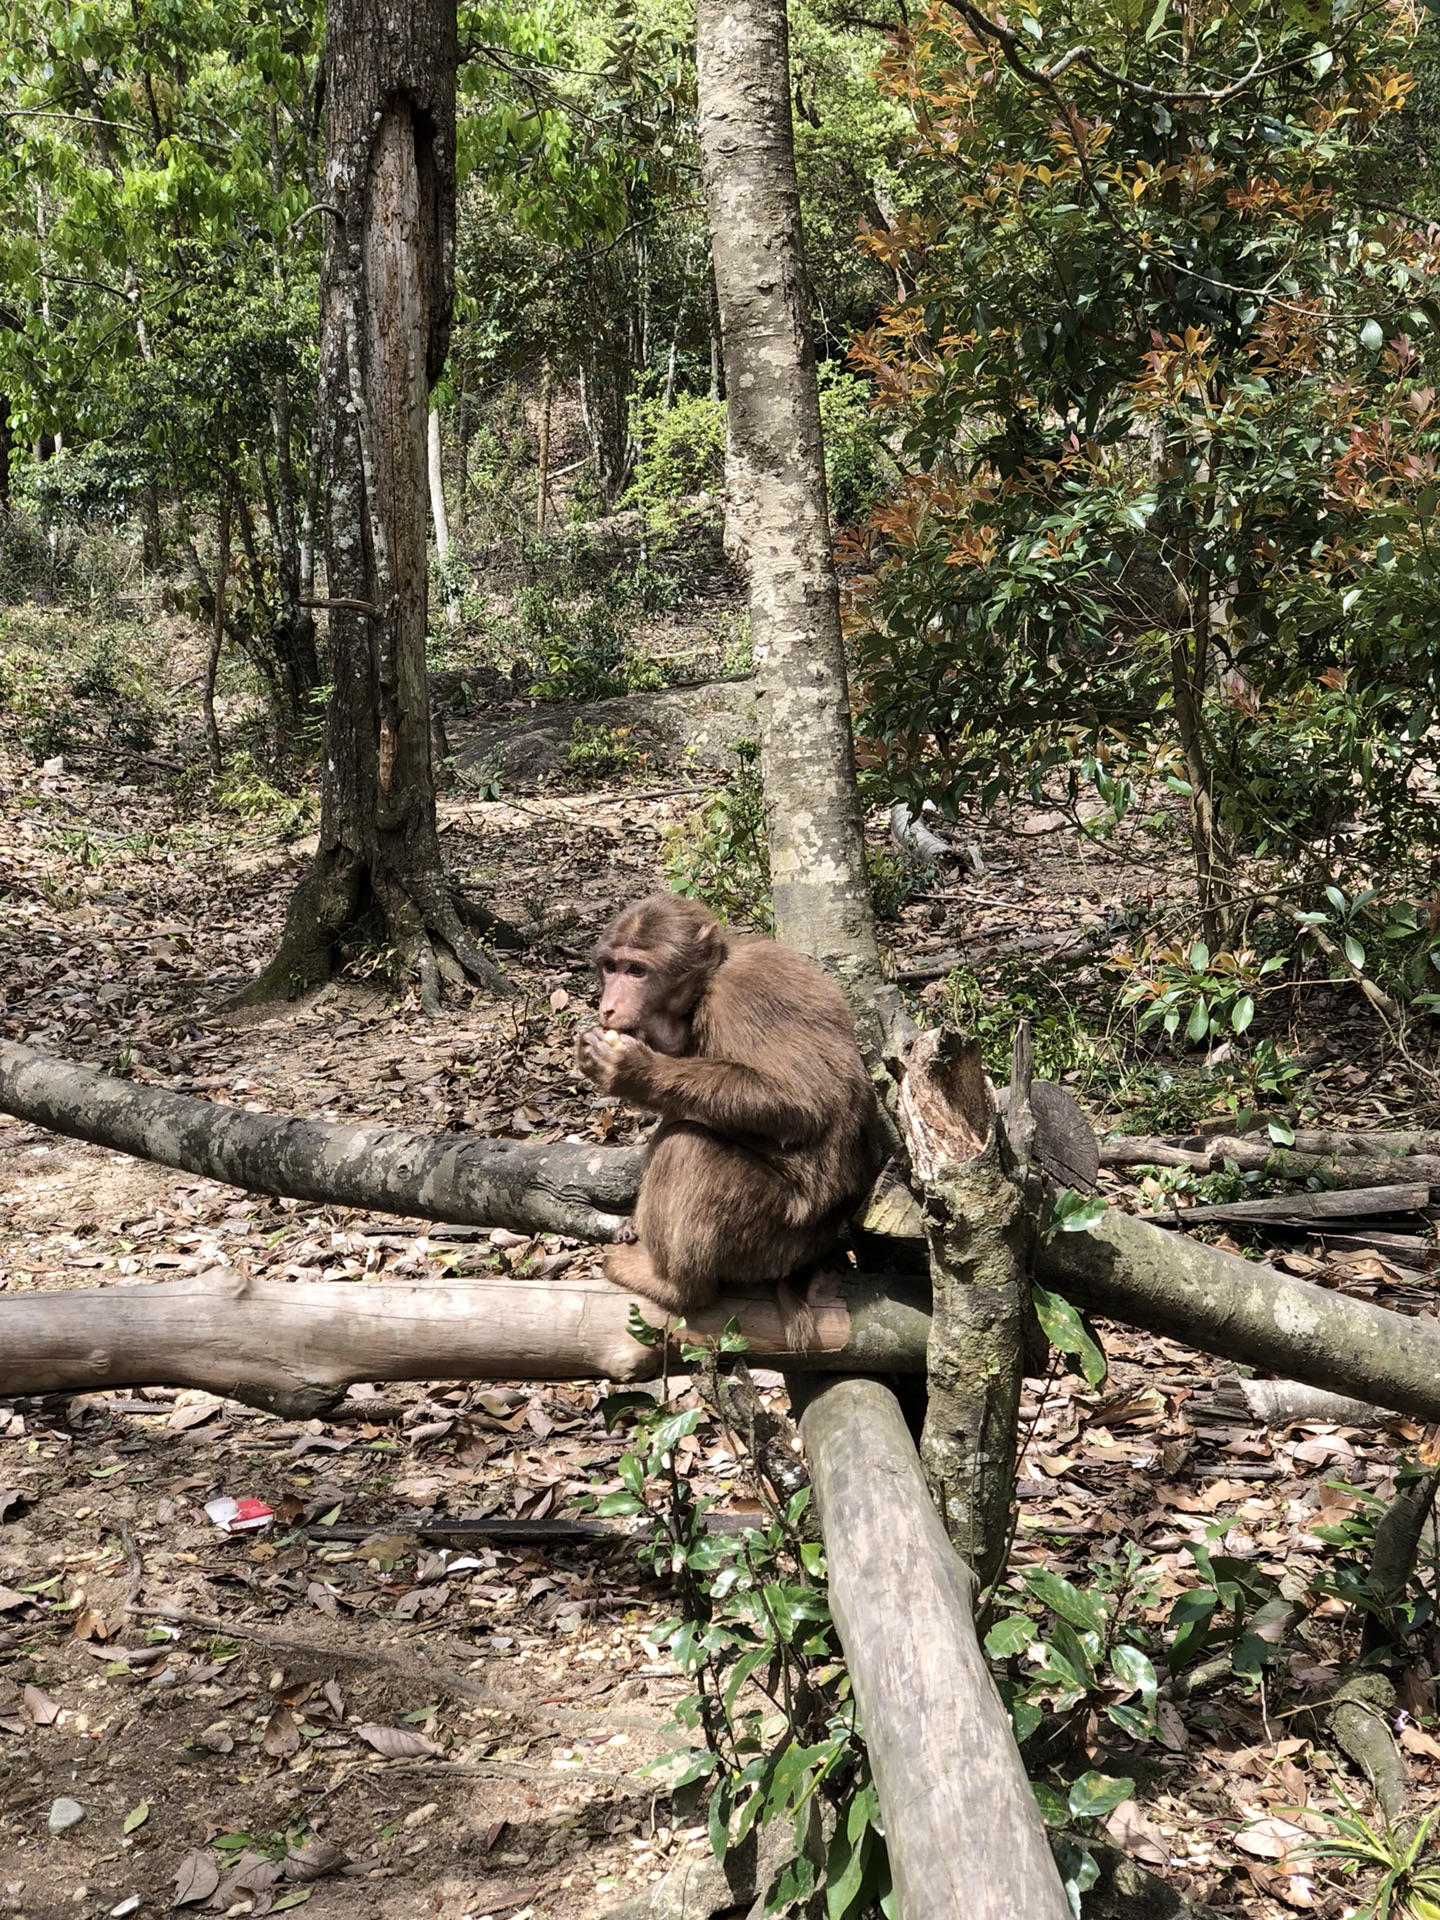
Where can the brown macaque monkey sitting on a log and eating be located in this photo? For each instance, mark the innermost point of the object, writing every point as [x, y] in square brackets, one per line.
[769, 1130]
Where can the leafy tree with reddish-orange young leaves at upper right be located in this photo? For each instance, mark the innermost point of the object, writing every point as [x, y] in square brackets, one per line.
[1168, 418]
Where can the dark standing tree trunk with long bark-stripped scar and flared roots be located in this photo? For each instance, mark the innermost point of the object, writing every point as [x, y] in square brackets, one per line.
[387, 291]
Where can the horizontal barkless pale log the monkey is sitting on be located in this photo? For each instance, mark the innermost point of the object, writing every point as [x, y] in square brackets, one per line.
[295, 1347]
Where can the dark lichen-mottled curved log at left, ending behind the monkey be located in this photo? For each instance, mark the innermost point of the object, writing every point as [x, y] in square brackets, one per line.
[489, 1184]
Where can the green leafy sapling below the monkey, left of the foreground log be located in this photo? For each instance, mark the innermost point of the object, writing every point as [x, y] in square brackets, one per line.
[771, 1719]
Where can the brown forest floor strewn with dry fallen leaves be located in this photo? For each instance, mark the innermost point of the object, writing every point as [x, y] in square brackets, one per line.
[270, 1717]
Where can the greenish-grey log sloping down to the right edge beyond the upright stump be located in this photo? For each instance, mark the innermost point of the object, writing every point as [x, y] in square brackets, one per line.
[1247, 1312]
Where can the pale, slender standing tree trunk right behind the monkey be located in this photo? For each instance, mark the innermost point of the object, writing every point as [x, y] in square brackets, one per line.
[777, 494]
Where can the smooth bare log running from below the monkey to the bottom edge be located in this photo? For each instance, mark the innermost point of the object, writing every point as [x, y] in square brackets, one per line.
[963, 1829]
